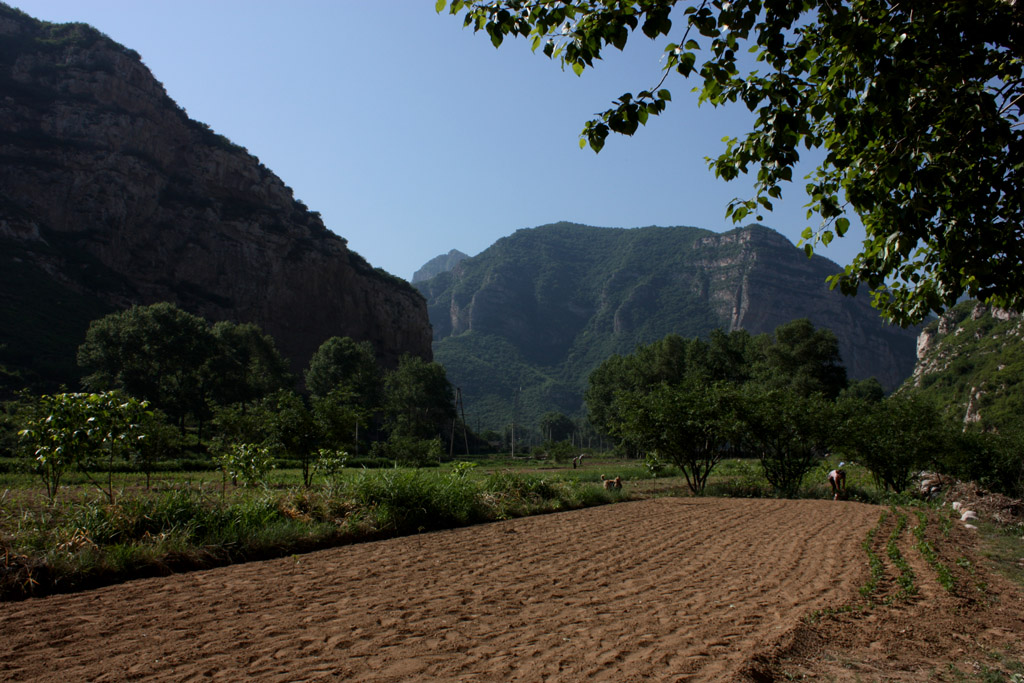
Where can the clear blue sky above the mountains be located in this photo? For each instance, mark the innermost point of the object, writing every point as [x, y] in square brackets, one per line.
[412, 136]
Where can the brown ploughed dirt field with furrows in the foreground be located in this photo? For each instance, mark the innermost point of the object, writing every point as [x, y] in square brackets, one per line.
[660, 590]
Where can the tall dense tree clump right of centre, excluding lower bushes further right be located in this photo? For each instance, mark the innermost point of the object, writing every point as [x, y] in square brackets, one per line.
[693, 402]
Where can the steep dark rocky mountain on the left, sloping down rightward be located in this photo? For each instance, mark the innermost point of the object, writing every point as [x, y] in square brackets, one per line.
[110, 195]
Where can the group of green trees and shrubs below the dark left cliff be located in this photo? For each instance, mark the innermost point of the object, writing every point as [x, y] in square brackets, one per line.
[218, 390]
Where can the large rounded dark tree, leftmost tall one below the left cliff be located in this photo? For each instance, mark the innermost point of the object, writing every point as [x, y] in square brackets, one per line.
[156, 354]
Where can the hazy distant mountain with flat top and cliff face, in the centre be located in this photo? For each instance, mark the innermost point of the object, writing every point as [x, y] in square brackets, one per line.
[521, 326]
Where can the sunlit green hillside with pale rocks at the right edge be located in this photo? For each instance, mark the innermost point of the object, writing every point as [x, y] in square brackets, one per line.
[972, 362]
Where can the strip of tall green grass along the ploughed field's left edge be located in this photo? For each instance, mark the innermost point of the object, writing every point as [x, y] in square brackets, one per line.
[88, 542]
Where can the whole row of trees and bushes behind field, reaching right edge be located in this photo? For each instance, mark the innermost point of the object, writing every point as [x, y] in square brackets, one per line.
[784, 400]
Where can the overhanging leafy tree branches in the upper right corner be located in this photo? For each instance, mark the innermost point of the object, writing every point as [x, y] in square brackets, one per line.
[917, 108]
